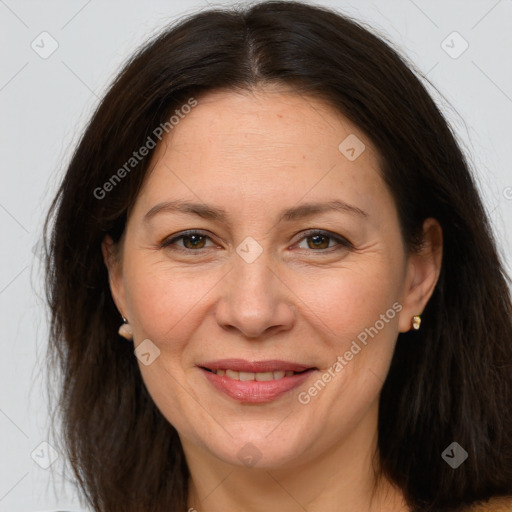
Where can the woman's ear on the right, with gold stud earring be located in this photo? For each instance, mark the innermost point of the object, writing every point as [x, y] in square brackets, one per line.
[423, 269]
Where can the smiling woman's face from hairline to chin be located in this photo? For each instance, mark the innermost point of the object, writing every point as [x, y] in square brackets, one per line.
[295, 264]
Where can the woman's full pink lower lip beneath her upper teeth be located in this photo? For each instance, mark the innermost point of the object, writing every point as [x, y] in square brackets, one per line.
[256, 392]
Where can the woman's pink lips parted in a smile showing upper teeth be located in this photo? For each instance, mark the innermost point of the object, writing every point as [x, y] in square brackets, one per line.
[257, 381]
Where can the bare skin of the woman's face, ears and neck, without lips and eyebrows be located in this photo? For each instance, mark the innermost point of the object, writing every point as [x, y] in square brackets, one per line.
[255, 154]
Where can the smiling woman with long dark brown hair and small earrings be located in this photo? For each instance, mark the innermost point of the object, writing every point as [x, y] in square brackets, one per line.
[313, 312]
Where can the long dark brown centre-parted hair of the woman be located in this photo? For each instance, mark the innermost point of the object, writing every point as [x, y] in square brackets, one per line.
[450, 381]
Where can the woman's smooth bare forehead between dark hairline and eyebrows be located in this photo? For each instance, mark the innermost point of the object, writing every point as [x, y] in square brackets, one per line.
[263, 147]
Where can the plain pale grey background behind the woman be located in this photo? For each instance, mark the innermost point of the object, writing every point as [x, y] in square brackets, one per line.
[45, 103]
